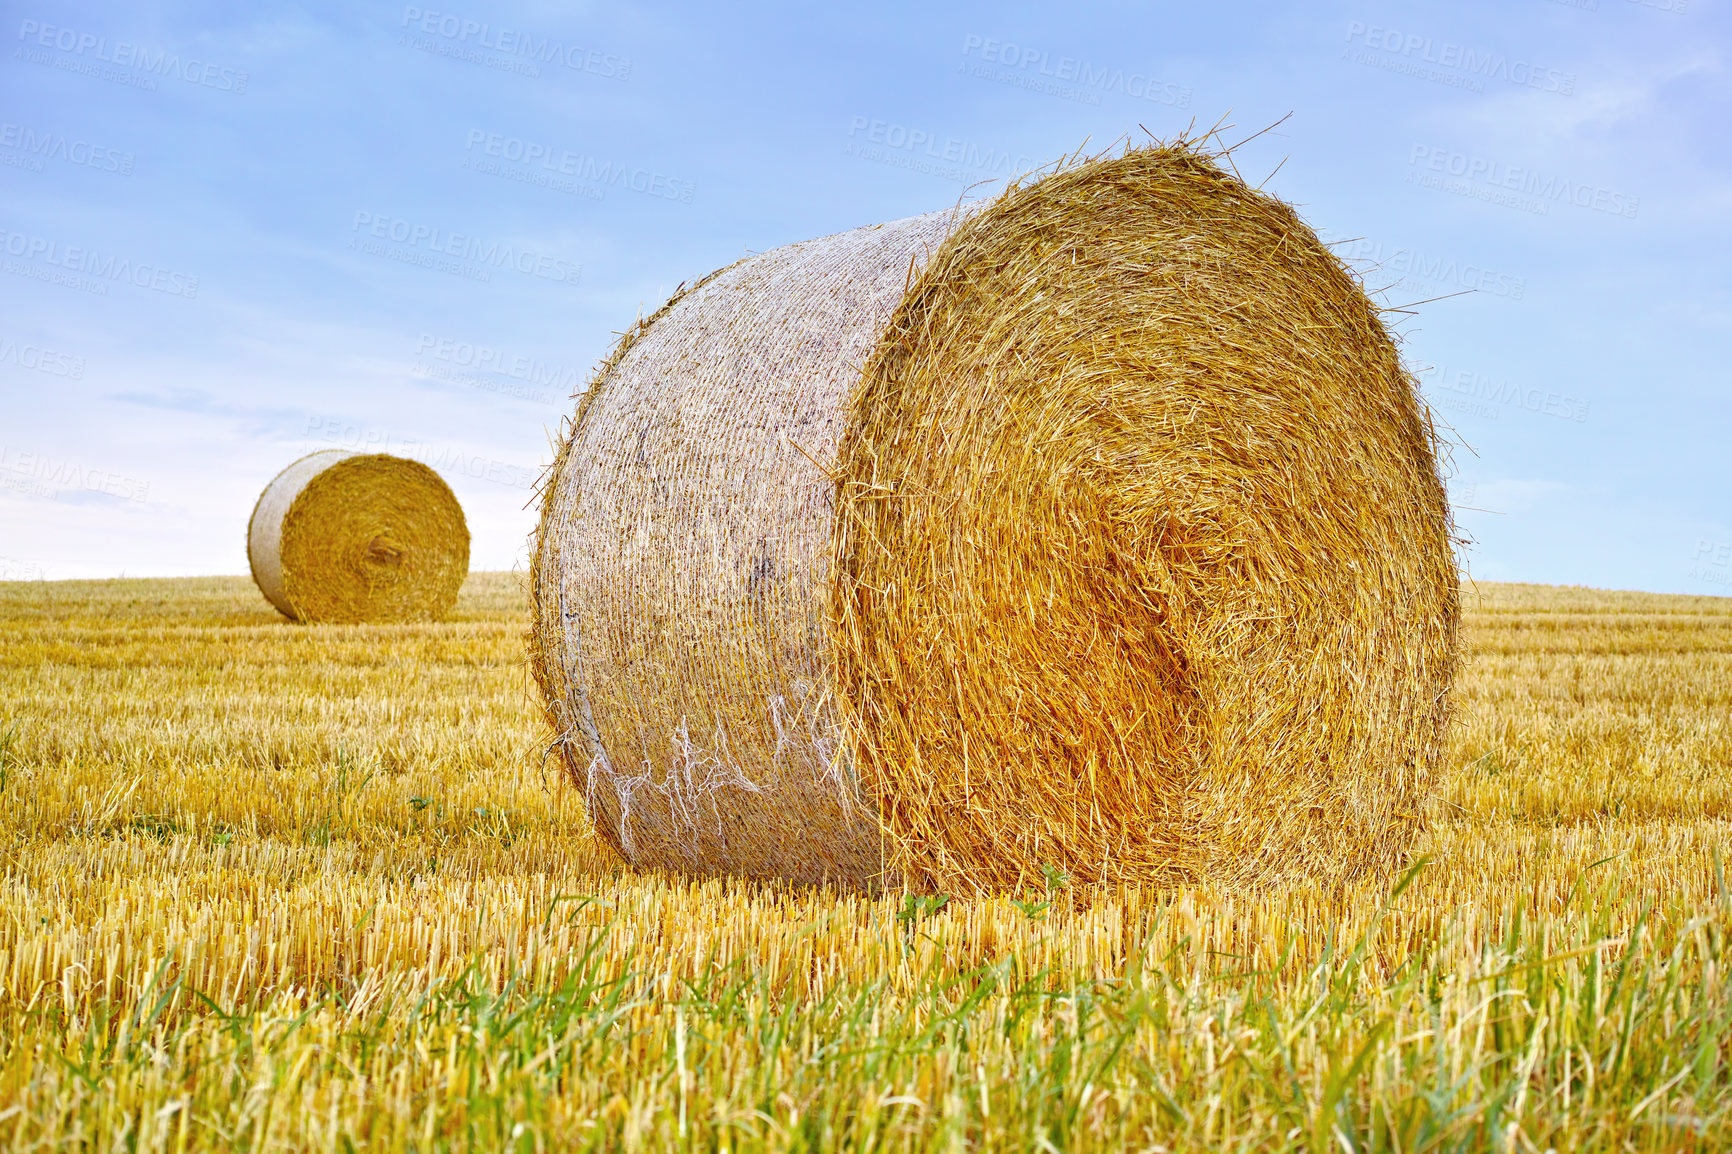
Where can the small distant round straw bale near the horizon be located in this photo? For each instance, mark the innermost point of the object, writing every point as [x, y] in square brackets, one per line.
[359, 538]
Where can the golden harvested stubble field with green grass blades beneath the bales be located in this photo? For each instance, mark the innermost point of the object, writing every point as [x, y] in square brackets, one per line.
[307, 888]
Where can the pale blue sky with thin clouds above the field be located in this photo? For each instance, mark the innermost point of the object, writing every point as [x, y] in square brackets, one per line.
[235, 235]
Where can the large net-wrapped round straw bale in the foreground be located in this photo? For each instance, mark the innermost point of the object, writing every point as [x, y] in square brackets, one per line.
[1095, 528]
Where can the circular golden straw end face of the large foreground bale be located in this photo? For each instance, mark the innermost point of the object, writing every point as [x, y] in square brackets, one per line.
[1144, 562]
